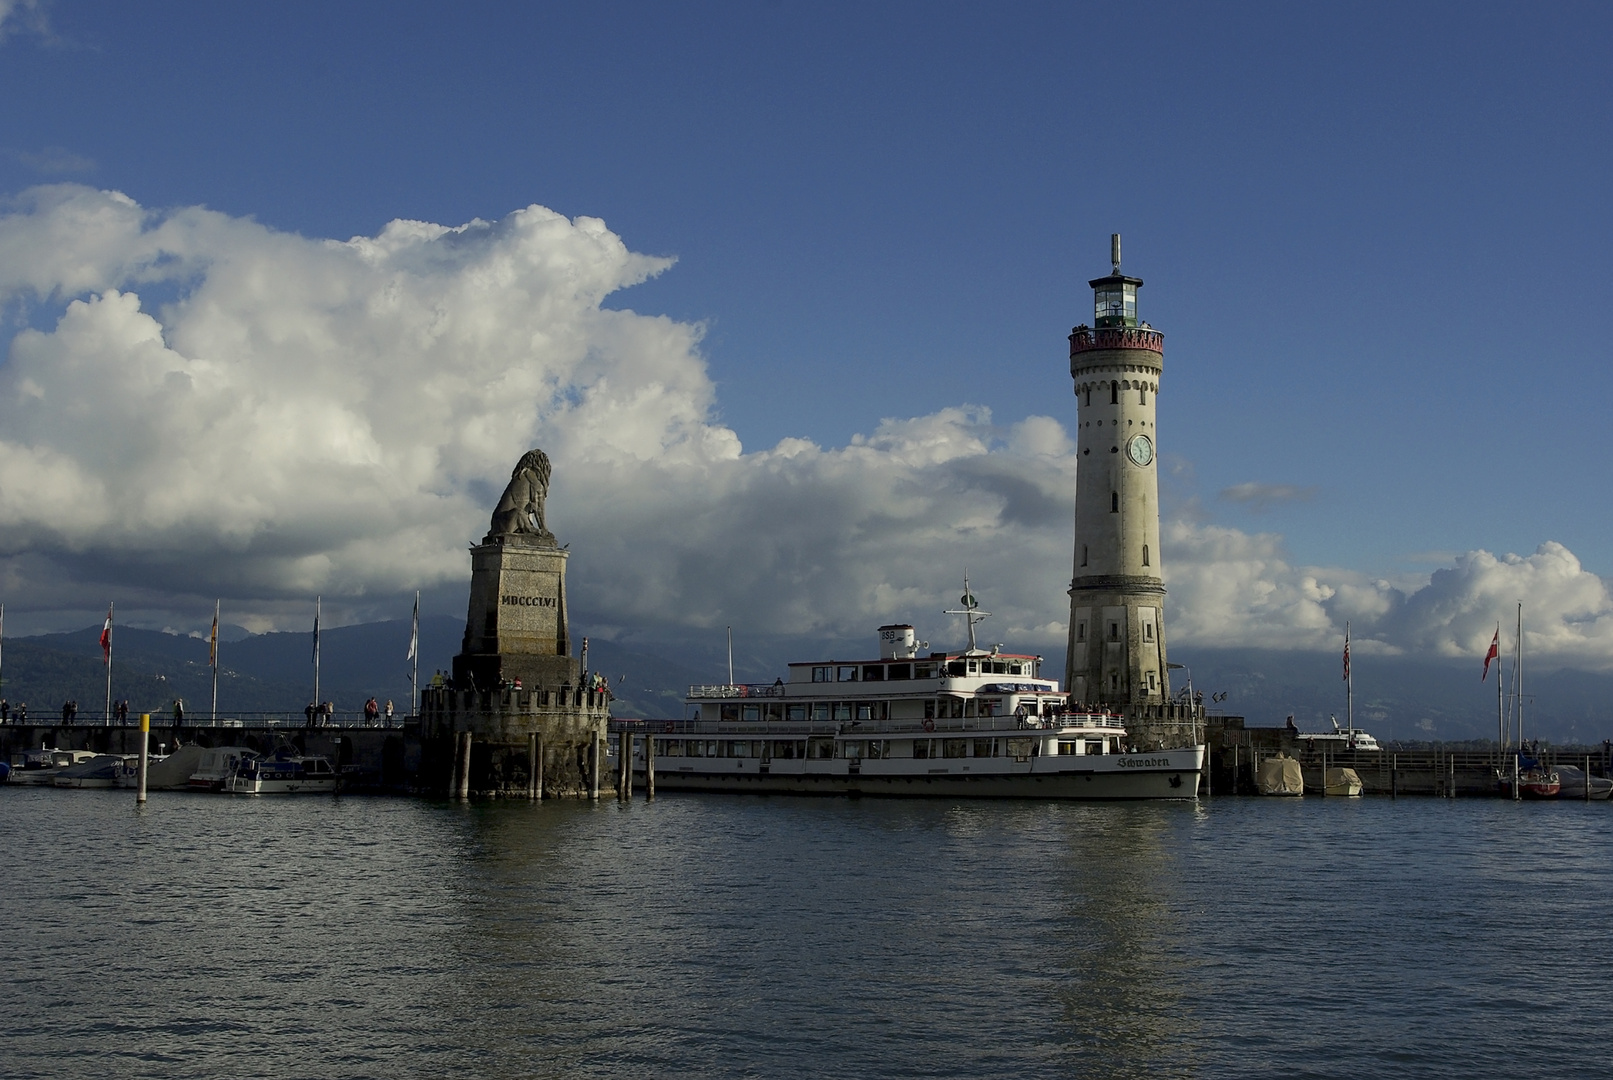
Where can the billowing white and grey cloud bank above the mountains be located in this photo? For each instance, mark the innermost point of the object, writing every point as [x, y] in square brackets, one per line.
[198, 405]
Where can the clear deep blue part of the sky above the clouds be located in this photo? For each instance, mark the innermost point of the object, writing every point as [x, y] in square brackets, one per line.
[1375, 236]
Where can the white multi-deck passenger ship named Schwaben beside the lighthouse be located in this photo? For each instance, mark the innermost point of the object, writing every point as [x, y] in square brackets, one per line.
[973, 725]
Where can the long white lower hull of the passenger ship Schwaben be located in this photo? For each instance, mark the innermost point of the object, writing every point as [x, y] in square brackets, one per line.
[1170, 775]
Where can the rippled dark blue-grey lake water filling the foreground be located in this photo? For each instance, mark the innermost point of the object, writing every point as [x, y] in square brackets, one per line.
[801, 937]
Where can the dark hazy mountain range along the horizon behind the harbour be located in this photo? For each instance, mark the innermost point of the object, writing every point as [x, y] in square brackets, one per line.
[1396, 699]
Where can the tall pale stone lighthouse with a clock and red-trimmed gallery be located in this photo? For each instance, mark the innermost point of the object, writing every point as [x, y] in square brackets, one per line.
[1117, 596]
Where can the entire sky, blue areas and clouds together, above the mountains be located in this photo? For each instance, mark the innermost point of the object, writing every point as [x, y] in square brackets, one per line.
[785, 289]
